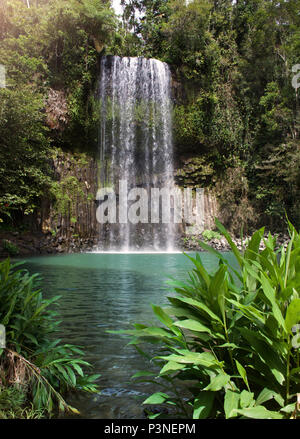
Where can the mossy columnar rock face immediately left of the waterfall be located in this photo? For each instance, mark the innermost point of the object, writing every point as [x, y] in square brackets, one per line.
[72, 210]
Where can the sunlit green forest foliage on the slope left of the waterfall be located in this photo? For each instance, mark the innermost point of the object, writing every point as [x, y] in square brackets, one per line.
[49, 46]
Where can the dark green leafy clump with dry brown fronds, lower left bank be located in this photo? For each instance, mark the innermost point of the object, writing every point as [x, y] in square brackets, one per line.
[33, 358]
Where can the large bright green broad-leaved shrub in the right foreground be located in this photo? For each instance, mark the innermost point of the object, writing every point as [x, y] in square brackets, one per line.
[227, 347]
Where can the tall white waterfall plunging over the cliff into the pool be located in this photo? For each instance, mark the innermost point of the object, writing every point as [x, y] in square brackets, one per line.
[135, 144]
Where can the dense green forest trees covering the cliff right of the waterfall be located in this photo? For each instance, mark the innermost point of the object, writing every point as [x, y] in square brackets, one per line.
[235, 101]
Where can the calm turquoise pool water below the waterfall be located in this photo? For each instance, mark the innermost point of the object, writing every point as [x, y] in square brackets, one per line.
[101, 292]
